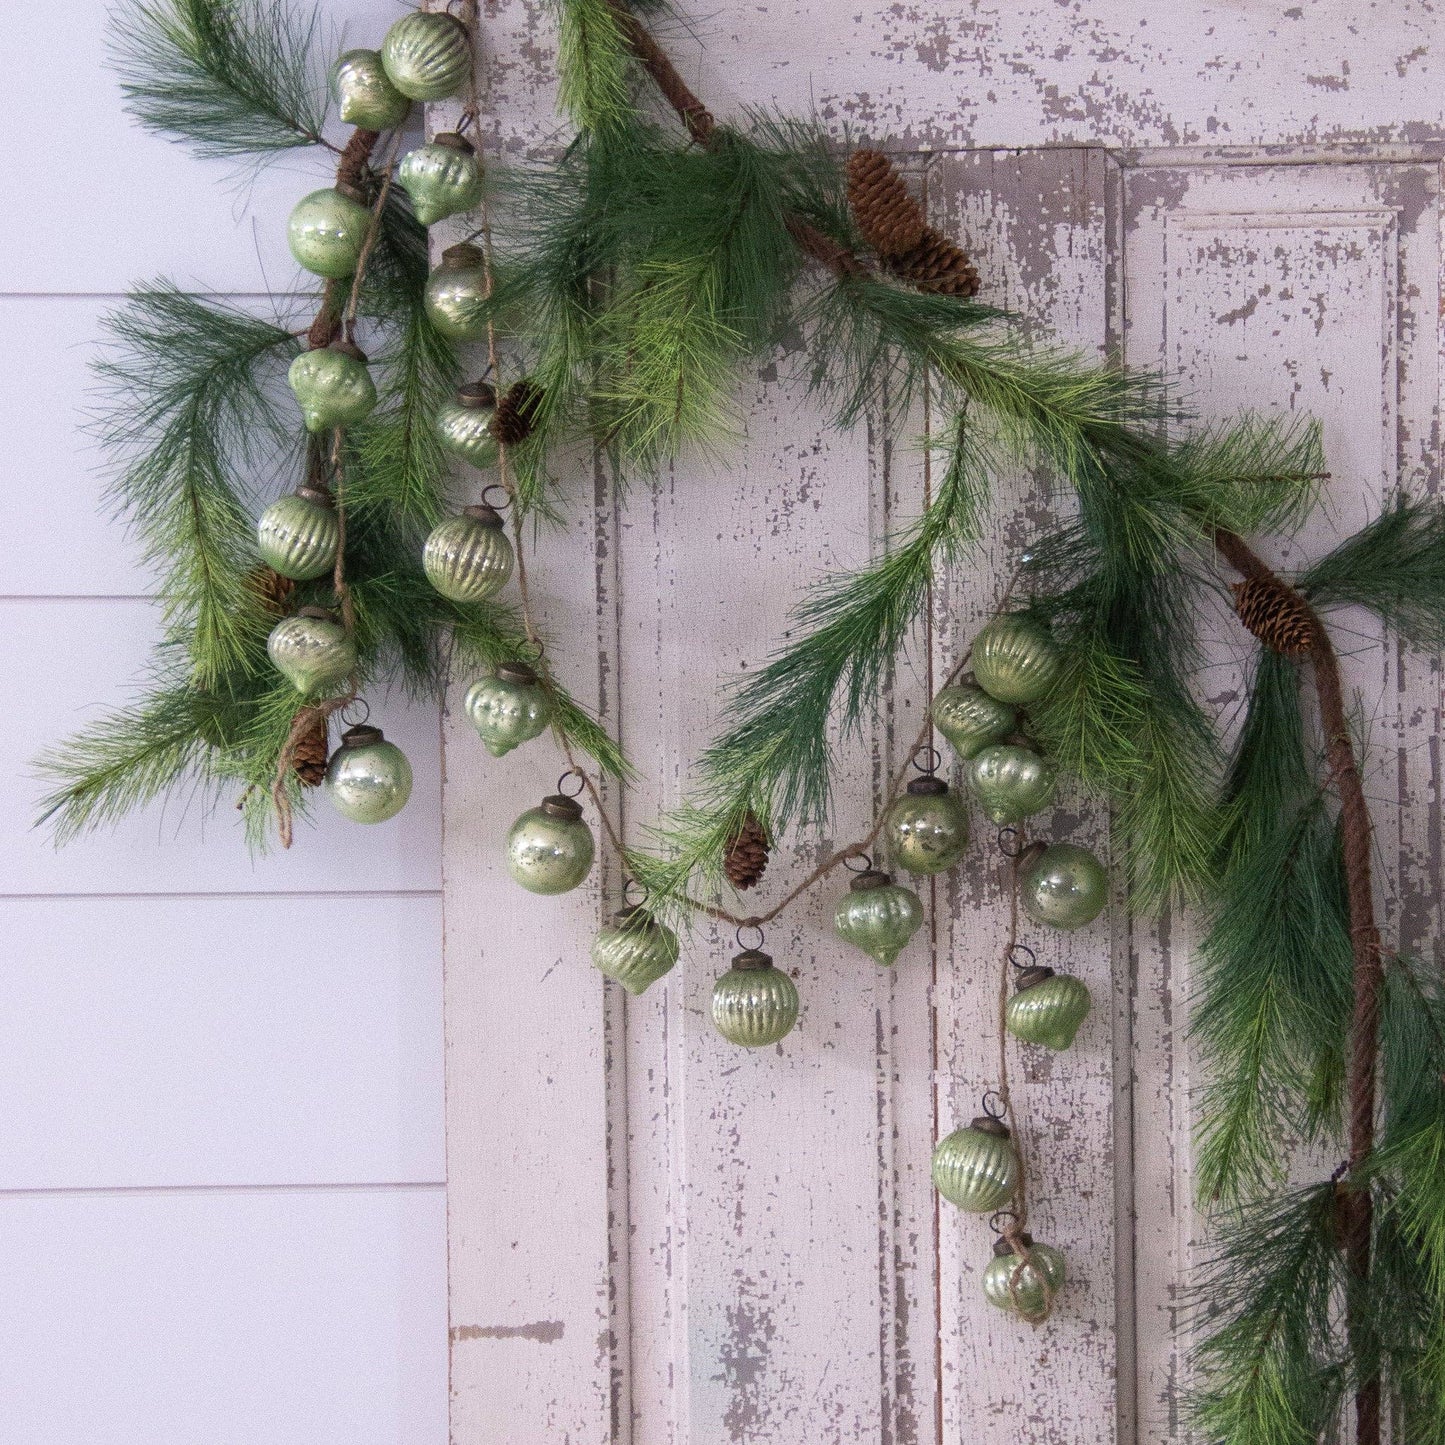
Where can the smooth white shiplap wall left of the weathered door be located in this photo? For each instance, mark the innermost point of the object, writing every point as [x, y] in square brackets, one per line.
[222, 1170]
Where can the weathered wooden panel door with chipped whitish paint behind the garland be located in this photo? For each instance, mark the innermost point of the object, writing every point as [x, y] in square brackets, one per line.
[658, 1241]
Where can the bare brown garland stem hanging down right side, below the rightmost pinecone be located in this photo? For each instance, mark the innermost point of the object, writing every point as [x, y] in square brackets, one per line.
[1365, 940]
